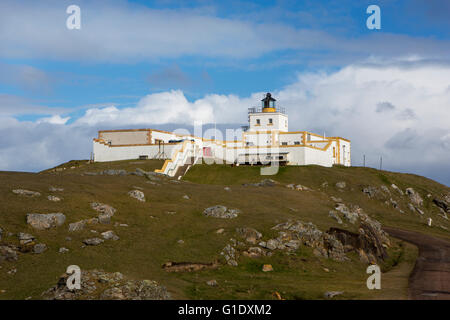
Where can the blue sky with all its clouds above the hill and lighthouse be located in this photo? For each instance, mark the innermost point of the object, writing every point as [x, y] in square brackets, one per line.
[166, 64]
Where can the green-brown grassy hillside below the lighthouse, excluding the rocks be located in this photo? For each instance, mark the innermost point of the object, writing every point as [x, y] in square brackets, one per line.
[154, 228]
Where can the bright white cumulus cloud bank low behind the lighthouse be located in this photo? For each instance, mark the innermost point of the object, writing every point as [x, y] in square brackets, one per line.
[412, 138]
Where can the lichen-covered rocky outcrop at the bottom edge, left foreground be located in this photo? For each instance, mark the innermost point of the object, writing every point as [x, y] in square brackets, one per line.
[100, 285]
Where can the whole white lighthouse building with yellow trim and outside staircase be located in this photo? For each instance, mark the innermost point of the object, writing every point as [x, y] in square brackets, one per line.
[265, 140]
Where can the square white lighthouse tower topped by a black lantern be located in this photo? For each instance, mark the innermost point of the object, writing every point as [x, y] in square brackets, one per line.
[268, 117]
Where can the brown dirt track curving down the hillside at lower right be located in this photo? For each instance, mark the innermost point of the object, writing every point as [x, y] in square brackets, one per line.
[430, 279]
